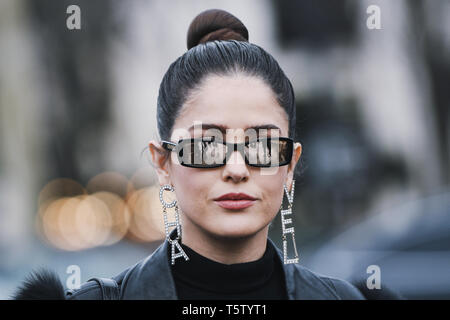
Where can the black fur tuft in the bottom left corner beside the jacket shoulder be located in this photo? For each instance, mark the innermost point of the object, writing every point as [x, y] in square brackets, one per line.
[41, 284]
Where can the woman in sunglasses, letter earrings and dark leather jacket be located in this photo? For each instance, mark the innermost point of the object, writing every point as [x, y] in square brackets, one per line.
[226, 118]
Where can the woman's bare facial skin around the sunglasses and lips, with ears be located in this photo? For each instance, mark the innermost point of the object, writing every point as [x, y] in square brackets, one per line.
[232, 102]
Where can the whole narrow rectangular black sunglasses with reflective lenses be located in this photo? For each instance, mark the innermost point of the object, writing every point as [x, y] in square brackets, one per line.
[210, 152]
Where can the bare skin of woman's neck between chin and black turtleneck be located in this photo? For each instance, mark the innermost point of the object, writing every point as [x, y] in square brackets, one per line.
[225, 250]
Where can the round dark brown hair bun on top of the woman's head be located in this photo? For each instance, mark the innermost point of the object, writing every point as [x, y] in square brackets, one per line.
[215, 24]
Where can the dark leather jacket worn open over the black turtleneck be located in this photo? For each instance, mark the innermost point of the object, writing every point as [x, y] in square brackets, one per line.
[151, 278]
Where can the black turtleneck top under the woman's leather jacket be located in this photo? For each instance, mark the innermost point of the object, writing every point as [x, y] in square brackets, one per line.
[202, 278]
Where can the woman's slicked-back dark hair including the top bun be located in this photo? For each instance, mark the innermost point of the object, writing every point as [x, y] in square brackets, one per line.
[218, 45]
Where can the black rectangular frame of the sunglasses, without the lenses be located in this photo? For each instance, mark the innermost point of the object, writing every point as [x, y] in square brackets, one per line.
[171, 146]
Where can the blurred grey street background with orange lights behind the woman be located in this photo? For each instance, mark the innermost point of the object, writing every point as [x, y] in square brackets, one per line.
[78, 107]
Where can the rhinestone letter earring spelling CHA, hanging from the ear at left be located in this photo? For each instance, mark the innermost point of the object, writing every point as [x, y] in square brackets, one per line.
[174, 242]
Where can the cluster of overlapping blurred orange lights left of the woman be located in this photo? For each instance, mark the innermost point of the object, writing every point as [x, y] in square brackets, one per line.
[107, 210]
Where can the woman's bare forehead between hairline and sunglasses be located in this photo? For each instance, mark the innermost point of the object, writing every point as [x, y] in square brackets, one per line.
[238, 103]
